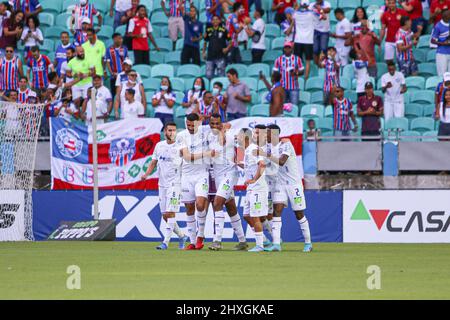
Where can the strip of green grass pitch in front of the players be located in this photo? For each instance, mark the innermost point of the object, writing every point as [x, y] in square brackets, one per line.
[125, 270]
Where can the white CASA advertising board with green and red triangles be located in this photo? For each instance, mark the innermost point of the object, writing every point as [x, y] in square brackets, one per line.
[410, 216]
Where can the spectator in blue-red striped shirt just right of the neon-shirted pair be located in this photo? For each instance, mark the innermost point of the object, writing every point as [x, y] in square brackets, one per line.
[115, 56]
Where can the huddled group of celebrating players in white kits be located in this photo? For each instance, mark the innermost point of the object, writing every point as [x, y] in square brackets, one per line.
[200, 166]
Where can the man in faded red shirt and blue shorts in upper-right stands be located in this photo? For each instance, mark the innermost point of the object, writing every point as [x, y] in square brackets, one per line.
[365, 42]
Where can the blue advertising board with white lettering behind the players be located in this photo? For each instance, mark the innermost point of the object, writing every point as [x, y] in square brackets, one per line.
[138, 217]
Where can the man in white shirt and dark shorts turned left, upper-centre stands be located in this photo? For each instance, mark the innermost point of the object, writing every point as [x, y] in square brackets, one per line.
[257, 32]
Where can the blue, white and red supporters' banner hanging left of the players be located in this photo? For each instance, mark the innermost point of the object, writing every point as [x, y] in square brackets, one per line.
[124, 154]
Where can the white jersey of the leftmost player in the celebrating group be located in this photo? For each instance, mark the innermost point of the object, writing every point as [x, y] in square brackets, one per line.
[169, 163]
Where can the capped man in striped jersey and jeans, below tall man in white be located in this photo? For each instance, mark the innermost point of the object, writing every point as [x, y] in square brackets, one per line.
[290, 66]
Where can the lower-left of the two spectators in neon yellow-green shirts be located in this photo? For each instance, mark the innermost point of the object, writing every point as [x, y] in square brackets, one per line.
[79, 68]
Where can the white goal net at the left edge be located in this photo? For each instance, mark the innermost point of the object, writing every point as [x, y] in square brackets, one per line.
[19, 130]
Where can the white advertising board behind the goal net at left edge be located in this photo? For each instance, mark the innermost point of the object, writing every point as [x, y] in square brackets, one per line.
[12, 226]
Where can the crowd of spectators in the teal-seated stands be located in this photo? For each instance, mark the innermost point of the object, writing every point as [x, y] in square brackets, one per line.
[328, 62]
